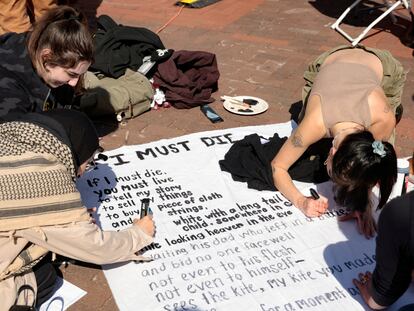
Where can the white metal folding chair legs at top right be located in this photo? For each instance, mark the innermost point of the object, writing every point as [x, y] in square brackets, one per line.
[389, 4]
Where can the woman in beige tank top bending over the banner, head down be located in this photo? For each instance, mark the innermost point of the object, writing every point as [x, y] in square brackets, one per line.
[348, 90]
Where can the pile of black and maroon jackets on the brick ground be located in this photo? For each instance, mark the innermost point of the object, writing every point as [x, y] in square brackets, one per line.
[188, 78]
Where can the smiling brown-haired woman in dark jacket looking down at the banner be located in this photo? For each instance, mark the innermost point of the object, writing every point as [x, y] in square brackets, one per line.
[40, 69]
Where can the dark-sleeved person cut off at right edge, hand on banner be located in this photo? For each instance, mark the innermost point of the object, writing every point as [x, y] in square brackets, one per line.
[394, 256]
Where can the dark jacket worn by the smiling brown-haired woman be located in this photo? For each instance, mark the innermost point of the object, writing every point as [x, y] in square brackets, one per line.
[21, 88]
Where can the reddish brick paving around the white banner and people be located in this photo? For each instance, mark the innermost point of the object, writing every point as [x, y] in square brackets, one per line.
[262, 47]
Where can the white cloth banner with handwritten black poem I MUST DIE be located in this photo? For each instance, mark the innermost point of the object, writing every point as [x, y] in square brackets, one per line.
[220, 245]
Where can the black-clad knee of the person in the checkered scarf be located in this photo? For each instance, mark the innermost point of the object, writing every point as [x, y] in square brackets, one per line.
[46, 276]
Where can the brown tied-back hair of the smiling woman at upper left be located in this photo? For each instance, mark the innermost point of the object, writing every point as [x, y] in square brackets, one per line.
[65, 32]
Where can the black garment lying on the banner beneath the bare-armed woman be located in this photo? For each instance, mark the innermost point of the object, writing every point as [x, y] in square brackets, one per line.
[248, 160]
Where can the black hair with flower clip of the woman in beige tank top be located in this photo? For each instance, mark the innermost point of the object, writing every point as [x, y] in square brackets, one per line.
[356, 168]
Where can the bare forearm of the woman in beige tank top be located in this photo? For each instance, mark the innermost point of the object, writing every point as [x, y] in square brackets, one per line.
[283, 182]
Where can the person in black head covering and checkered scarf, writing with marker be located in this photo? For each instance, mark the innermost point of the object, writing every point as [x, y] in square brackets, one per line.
[41, 155]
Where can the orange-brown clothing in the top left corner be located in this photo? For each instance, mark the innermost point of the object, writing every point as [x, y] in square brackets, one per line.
[17, 15]
